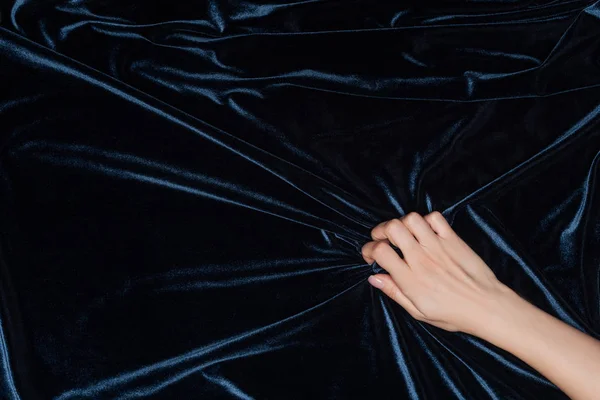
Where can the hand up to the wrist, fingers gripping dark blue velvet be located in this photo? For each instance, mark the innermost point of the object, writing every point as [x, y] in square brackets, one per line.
[440, 280]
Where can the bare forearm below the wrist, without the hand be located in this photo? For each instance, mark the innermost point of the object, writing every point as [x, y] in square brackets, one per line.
[564, 355]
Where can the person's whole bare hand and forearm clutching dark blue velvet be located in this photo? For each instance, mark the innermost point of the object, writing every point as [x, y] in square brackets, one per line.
[440, 280]
